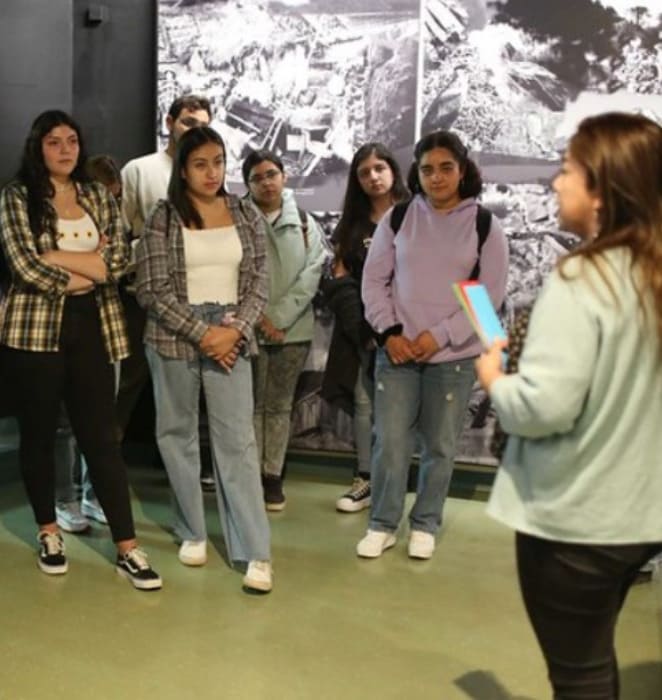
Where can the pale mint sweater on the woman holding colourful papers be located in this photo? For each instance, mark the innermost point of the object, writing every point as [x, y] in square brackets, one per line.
[584, 463]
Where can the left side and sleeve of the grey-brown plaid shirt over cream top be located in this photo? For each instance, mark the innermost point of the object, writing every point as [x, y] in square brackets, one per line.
[172, 329]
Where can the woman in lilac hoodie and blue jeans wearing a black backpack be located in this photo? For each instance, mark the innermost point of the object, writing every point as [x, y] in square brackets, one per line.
[424, 368]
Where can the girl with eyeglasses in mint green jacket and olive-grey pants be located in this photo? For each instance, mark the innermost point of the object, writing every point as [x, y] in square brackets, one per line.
[295, 254]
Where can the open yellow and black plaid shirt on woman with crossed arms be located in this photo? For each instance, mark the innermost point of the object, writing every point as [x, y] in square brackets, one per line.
[35, 301]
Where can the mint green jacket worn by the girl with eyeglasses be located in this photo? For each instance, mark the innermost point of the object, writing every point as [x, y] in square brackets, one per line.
[295, 269]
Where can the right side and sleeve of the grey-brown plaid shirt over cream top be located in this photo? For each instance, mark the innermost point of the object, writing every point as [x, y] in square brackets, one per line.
[253, 275]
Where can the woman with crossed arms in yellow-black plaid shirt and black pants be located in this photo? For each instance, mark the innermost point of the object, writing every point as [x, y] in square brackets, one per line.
[63, 329]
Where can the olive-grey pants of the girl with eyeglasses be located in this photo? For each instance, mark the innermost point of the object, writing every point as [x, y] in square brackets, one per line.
[276, 371]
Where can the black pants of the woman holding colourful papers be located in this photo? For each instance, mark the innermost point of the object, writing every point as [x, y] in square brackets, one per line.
[573, 594]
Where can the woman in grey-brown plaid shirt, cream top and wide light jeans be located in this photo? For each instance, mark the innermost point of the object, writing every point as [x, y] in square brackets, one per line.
[202, 277]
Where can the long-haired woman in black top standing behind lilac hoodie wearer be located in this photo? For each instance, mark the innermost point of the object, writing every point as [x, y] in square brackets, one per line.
[374, 185]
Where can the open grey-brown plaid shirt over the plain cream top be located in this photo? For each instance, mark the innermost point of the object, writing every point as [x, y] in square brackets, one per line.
[172, 329]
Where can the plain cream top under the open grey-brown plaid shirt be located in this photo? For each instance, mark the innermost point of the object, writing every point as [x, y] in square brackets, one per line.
[212, 259]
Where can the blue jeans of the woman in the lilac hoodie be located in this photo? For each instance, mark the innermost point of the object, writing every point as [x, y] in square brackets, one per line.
[429, 400]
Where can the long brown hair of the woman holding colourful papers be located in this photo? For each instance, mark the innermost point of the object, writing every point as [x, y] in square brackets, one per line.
[622, 156]
